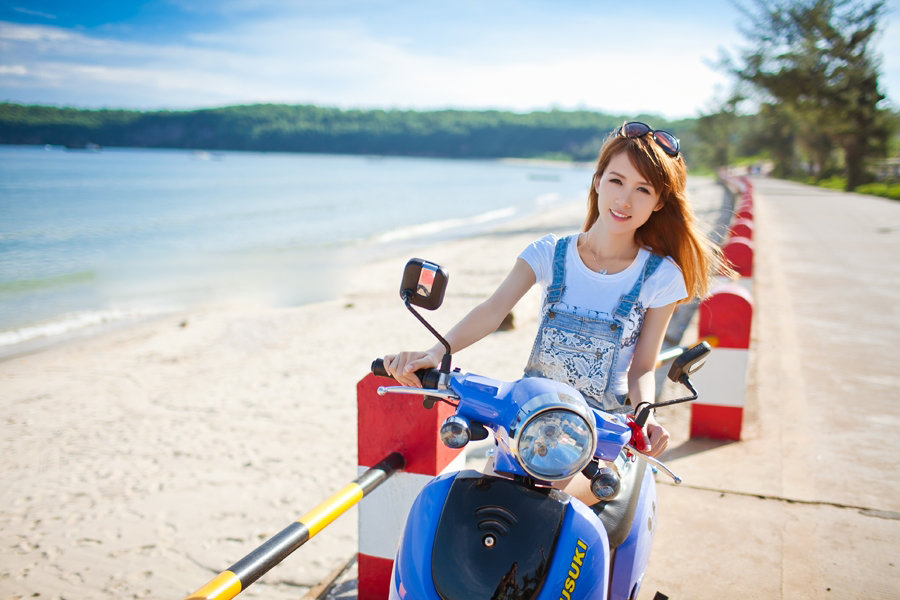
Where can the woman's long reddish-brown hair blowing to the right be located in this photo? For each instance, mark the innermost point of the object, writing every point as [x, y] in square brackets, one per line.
[673, 229]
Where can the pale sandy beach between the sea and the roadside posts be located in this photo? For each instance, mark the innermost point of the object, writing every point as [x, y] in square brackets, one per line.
[140, 462]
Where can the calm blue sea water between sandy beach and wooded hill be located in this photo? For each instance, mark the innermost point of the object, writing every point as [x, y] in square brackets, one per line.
[91, 237]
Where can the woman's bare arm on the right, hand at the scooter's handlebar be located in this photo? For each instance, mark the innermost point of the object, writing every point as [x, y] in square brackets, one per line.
[641, 379]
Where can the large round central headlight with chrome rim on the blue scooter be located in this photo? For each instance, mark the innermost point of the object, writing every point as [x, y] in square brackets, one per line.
[555, 444]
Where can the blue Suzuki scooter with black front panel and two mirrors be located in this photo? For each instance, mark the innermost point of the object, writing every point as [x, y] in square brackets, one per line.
[510, 534]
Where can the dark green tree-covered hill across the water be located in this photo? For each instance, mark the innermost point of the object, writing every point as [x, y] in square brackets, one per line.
[286, 128]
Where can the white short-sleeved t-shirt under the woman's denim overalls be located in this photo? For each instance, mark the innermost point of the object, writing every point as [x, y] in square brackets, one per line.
[590, 294]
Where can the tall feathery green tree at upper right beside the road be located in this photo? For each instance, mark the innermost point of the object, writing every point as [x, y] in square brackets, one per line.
[812, 60]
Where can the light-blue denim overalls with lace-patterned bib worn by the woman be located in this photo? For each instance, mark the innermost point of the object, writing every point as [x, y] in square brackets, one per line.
[578, 350]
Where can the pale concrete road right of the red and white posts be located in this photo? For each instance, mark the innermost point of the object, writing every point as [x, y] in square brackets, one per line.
[807, 504]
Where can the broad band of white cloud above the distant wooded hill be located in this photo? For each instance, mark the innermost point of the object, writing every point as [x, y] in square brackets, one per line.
[596, 62]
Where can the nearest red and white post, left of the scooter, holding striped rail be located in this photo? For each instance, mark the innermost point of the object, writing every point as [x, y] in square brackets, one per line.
[385, 424]
